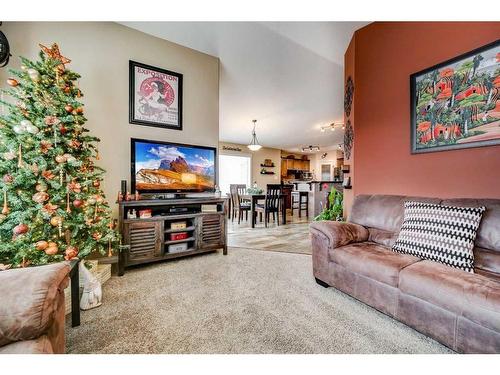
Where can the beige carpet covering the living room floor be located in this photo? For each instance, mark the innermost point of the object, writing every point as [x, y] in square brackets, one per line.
[246, 302]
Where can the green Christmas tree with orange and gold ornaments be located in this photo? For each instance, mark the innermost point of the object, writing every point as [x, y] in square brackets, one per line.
[53, 204]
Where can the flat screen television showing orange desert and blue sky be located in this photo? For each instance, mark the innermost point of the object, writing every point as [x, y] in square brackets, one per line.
[165, 167]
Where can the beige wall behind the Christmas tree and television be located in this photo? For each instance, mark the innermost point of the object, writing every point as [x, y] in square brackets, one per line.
[100, 52]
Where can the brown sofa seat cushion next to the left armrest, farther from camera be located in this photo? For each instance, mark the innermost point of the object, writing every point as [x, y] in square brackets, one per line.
[372, 260]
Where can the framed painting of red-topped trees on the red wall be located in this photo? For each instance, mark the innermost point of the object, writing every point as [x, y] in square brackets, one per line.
[456, 104]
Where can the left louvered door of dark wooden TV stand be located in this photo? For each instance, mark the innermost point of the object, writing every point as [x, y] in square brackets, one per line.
[145, 240]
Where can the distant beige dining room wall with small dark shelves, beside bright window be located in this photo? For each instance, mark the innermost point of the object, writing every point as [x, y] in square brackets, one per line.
[257, 158]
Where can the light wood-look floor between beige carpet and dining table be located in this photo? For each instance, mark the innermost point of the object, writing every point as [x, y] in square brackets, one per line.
[290, 238]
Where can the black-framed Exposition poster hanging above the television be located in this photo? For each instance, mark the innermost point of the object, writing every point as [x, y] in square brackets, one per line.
[155, 96]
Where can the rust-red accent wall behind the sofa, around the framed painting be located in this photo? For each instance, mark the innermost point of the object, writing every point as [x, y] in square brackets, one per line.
[385, 56]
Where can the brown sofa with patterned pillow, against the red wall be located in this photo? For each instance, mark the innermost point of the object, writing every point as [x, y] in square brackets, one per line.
[459, 309]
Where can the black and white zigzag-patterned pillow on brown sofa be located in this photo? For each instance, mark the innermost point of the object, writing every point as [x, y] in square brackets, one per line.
[444, 234]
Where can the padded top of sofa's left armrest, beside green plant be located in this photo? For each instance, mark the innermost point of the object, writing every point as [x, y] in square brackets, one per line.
[339, 233]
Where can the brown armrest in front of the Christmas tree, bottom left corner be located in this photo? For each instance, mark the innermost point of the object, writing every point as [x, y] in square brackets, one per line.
[29, 300]
